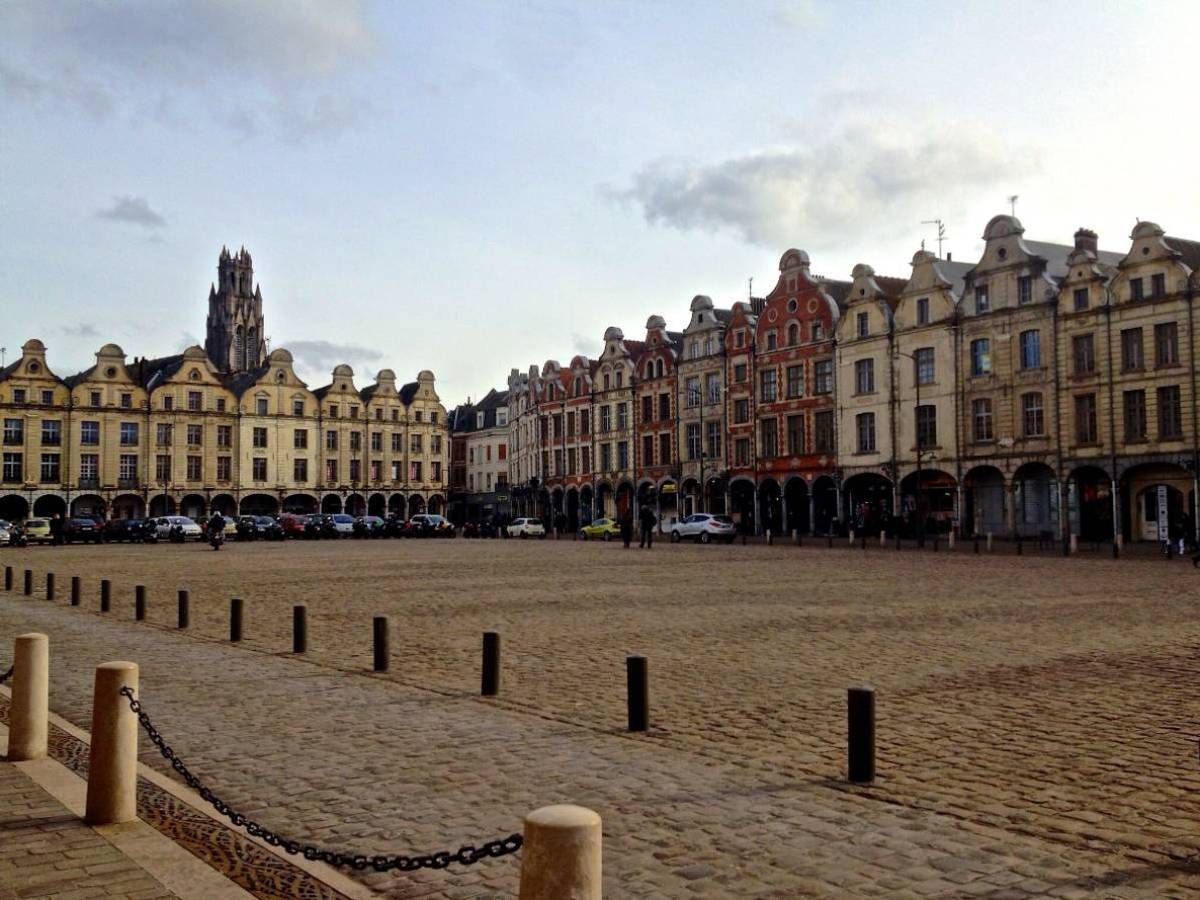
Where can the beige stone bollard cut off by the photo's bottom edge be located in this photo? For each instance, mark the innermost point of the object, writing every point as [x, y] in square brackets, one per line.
[561, 856]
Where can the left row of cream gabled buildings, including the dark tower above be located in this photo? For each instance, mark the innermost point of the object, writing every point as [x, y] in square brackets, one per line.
[227, 428]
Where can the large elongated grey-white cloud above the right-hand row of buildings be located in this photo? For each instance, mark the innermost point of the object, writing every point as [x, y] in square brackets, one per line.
[875, 177]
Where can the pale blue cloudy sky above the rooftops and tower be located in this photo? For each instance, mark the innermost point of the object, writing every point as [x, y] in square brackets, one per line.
[471, 188]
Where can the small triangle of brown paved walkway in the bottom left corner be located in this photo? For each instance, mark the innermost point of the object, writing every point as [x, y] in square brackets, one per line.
[49, 853]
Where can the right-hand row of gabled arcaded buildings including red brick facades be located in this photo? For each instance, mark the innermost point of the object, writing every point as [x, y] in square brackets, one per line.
[1045, 389]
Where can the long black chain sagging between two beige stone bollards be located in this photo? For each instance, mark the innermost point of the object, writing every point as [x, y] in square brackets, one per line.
[465, 856]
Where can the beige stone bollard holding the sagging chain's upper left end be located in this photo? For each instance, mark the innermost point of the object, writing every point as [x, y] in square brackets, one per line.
[113, 767]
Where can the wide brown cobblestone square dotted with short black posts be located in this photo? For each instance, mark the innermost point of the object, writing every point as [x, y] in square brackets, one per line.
[1037, 727]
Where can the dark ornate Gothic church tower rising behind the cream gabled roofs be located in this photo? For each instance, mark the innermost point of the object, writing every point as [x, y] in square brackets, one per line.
[236, 341]
